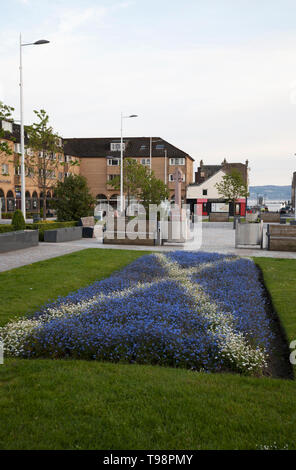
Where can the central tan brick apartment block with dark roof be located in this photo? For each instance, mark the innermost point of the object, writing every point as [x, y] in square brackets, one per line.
[100, 161]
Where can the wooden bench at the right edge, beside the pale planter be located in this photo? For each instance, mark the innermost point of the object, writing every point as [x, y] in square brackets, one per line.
[281, 237]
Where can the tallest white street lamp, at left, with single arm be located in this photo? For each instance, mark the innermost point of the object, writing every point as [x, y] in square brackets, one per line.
[23, 177]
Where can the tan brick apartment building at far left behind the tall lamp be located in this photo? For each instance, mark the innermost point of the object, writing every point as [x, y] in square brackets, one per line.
[10, 171]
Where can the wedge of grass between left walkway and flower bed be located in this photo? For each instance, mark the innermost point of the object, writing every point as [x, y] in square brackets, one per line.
[24, 289]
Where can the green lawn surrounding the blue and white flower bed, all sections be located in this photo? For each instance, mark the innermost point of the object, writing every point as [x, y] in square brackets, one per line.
[47, 404]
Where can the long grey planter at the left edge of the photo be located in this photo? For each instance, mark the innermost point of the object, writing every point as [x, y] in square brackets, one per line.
[19, 240]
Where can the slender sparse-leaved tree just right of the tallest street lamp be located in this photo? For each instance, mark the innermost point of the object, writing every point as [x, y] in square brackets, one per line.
[44, 150]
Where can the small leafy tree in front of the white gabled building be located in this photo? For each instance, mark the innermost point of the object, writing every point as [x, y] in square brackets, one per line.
[232, 187]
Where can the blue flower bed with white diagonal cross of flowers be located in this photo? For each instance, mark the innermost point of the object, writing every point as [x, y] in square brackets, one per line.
[202, 311]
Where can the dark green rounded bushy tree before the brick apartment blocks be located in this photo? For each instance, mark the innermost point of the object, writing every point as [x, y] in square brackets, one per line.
[72, 198]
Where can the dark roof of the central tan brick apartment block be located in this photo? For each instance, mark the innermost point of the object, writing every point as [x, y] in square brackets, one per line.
[135, 147]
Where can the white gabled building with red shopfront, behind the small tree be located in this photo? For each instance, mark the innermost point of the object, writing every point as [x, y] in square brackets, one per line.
[204, 193]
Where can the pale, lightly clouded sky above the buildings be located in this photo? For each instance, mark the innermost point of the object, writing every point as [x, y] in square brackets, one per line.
[216, 78]
